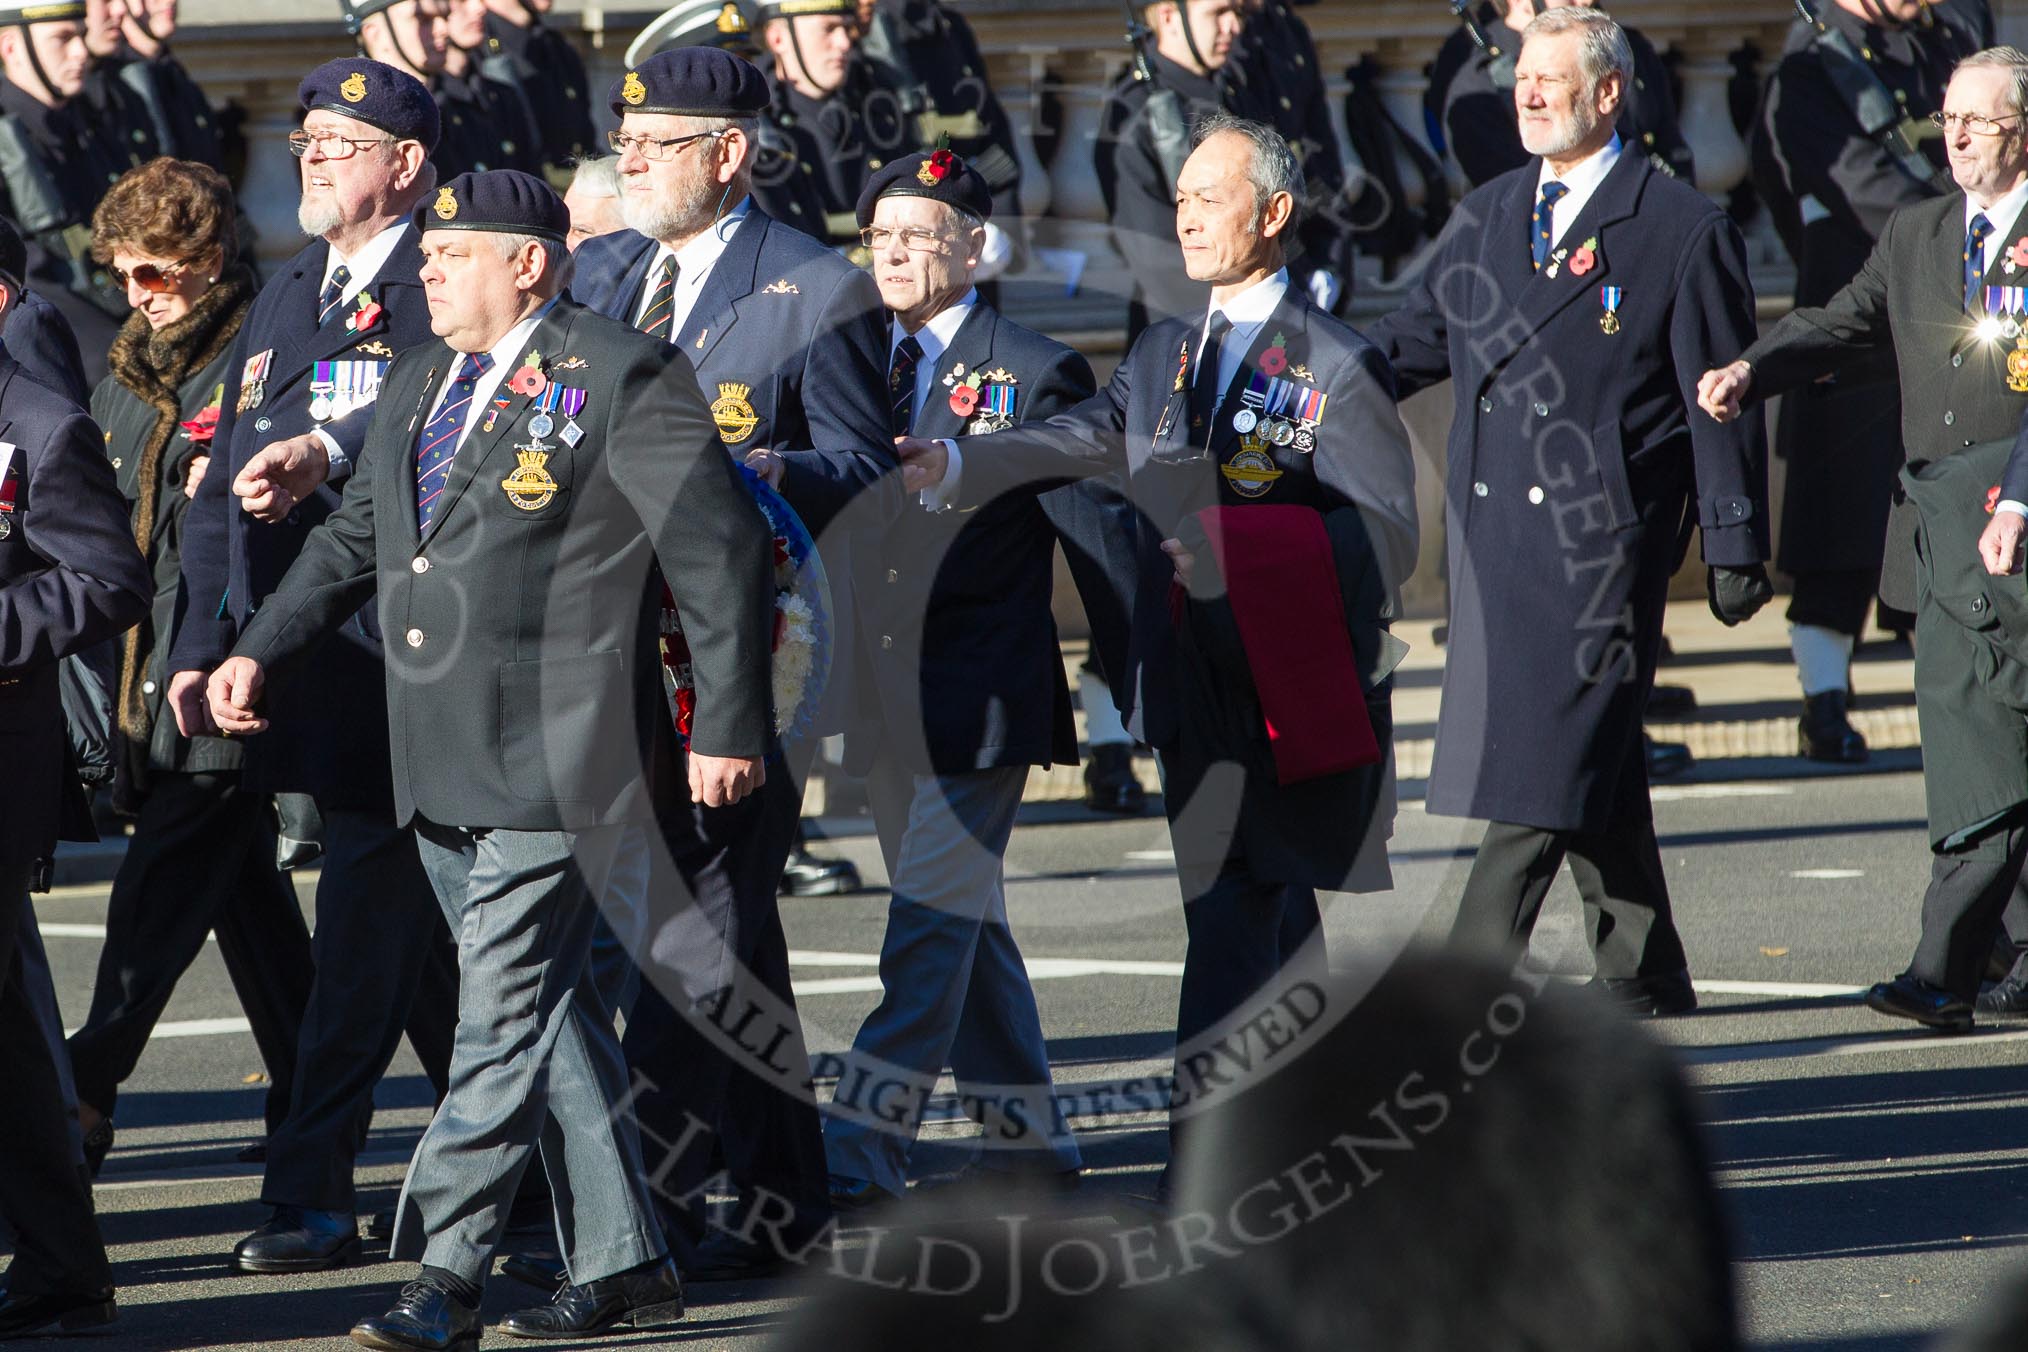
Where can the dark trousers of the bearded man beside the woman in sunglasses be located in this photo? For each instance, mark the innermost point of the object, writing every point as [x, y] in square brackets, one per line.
[384, 962]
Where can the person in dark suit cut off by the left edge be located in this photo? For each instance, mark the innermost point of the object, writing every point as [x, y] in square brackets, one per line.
[70, 579]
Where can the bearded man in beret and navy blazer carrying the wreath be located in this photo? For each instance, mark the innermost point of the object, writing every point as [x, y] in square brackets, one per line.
[786, 342]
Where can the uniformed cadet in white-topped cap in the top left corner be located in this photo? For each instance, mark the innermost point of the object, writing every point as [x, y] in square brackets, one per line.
[56, 163]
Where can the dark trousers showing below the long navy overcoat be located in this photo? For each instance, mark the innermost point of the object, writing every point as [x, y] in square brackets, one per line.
[1617, 873]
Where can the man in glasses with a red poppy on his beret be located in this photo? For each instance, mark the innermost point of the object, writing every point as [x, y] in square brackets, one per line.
[966, 694]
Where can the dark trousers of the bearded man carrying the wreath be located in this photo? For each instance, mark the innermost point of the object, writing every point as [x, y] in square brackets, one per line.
[717, 923]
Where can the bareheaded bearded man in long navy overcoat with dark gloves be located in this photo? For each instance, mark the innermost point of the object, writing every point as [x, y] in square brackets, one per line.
[1575, 305]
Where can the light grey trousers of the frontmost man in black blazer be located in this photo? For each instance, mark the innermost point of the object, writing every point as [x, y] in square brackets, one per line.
[536, 1059]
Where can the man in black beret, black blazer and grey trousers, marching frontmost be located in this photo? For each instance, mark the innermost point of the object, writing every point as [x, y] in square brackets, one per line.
[514, 550]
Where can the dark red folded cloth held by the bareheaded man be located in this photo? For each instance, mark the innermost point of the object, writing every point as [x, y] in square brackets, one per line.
[1283, 585]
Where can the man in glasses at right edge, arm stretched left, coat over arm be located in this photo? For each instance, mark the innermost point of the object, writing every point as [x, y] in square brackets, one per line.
[1940, 295]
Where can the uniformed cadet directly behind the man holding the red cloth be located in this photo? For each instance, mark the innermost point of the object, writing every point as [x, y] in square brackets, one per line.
[1145, 139]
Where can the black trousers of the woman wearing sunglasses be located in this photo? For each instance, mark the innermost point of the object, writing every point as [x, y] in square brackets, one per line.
[202, 862]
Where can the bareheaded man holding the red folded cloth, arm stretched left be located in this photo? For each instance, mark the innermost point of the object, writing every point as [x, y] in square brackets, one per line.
[1260, 402]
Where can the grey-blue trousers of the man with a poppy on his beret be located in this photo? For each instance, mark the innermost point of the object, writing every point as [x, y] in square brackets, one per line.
[952, 986]
